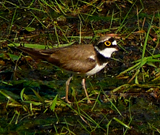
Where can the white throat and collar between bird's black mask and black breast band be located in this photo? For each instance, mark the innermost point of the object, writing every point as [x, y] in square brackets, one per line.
[107, 52]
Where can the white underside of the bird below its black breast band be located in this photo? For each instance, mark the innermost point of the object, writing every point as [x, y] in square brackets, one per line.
[96, 69]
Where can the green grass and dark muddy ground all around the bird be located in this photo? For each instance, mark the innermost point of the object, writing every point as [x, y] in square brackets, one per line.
[125, 95]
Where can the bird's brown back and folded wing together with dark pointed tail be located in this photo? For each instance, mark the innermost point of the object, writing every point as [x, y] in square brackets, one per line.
[72, 58]
